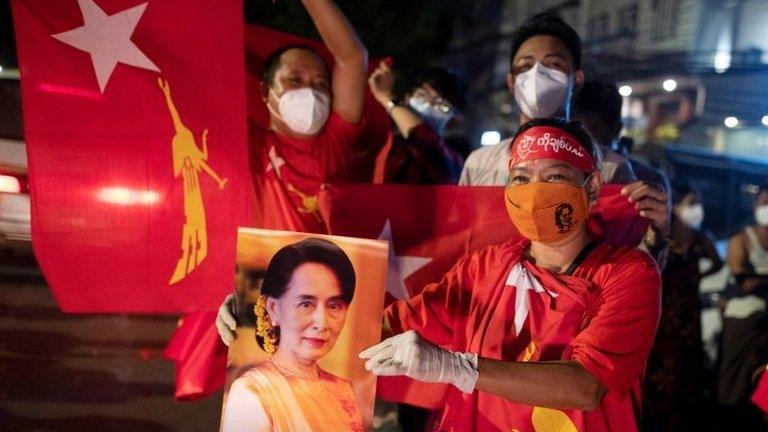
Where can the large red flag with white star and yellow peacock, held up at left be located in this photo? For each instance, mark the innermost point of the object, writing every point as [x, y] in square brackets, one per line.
[135, 125]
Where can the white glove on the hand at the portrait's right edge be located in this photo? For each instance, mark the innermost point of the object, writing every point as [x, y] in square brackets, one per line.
[410, 355]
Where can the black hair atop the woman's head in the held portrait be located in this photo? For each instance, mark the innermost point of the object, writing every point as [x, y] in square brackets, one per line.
[313, 250]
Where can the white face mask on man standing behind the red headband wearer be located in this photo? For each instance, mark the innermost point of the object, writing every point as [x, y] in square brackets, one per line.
[541, 91]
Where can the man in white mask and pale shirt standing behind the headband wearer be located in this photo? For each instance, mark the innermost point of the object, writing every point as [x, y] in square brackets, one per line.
[545, 71]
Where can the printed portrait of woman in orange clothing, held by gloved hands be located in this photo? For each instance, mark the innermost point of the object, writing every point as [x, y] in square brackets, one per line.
[306, 305]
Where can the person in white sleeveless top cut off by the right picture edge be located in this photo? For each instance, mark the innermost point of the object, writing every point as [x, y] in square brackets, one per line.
[744, 341]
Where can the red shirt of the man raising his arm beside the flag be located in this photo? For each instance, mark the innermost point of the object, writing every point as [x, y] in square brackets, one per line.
[289, 172]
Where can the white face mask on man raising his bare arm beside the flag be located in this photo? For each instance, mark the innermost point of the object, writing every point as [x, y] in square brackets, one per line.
[303, 110]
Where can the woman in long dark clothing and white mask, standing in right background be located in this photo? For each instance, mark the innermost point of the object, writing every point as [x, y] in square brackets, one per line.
[673, 381]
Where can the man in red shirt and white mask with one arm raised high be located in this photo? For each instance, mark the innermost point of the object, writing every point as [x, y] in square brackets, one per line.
[314, 123]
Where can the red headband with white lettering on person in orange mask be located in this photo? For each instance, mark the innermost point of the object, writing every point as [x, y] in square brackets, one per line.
[546, 142]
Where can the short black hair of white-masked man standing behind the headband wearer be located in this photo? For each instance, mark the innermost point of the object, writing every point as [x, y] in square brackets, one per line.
[550, 25]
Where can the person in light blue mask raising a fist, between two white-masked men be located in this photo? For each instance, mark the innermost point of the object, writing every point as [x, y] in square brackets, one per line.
[416, 152]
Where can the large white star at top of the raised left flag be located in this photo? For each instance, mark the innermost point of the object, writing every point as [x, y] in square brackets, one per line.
[107, 38]
